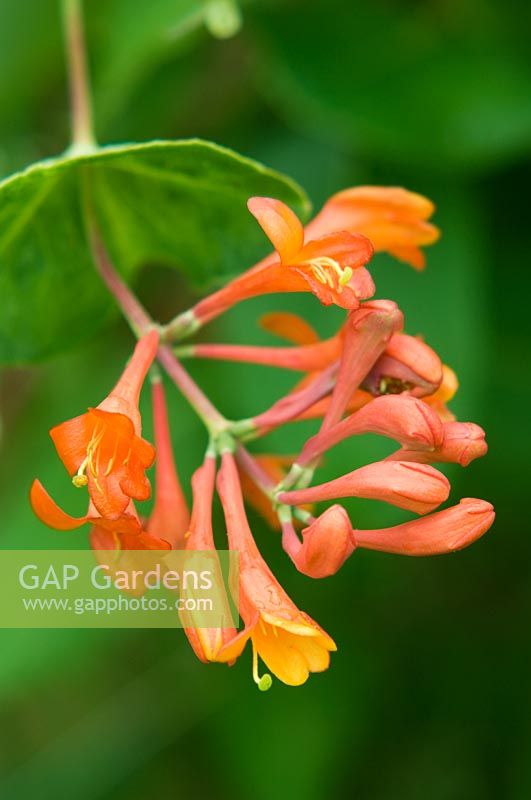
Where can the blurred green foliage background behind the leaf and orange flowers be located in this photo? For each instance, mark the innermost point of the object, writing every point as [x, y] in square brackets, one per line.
[429, 694]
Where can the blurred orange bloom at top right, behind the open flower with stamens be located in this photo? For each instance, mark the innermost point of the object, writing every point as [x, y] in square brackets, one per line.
[394, 219]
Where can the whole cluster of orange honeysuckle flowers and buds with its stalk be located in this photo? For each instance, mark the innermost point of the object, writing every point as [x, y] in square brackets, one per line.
[370, 377]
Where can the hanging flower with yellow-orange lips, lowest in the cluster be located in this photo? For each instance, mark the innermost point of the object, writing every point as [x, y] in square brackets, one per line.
[289, 642]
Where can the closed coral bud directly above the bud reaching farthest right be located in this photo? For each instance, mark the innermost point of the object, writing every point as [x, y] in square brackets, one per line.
[415, 487]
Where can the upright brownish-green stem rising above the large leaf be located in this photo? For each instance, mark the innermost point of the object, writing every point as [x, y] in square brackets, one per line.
[82, 132]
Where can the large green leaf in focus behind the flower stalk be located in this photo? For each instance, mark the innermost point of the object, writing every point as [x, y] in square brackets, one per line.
[180, 204]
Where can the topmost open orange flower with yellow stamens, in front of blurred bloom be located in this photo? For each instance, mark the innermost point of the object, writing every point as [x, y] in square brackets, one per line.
[331, 267]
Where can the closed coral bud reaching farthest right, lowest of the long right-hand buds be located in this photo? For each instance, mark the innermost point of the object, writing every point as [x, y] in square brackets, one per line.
[441, 532]
